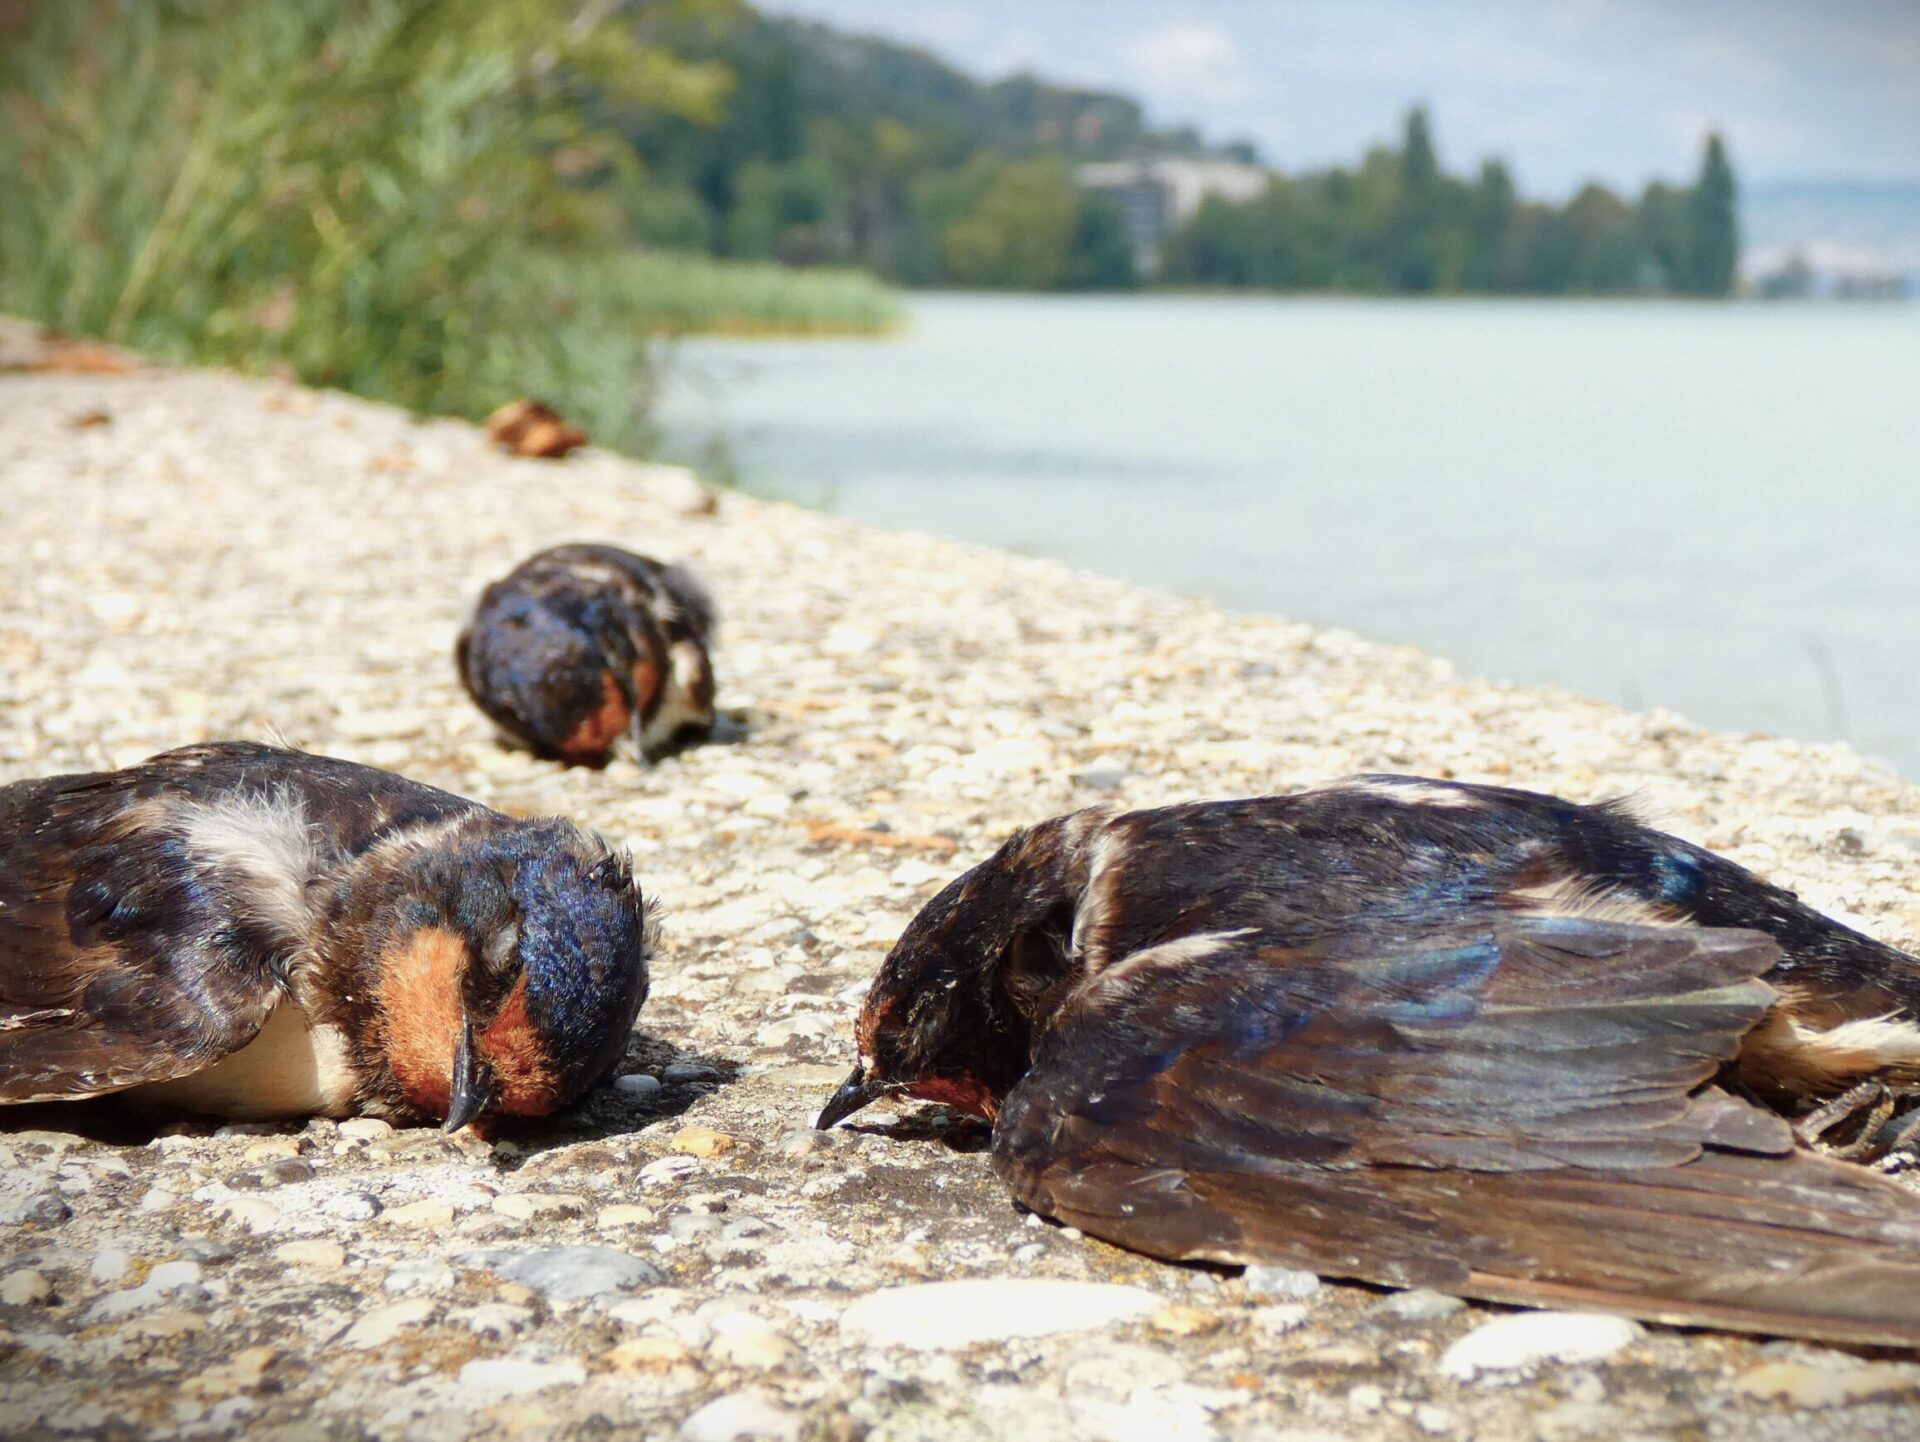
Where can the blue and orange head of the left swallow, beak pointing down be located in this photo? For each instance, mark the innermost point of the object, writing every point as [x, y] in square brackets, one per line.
[516, 971]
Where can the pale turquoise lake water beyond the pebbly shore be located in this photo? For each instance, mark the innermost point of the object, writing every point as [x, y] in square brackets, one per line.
[1706, 508]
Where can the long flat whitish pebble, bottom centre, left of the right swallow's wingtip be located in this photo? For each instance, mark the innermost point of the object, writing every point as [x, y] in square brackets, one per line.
[942, 1316]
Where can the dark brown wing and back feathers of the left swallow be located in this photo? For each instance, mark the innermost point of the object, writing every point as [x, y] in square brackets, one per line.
[128, 955]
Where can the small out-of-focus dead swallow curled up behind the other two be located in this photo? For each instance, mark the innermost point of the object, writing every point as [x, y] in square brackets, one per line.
[583, 646]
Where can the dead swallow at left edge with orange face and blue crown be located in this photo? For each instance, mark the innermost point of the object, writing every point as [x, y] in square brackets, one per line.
[256, 932]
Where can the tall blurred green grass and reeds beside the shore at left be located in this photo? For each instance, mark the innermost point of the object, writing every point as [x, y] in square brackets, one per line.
[372, 193]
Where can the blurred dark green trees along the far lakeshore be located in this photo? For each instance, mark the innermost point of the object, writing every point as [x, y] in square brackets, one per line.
[850, 151]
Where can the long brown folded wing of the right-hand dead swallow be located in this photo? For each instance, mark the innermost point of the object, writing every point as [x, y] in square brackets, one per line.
[1522, 1115]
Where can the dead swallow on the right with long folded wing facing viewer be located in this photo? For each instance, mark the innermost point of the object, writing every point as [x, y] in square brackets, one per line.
[1428, 1036]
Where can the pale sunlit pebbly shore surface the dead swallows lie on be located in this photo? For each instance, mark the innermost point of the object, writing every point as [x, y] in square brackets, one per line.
[195, 556]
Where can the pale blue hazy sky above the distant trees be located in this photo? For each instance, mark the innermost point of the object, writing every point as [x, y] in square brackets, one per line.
[1566, 91]
